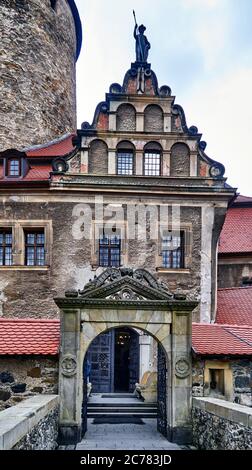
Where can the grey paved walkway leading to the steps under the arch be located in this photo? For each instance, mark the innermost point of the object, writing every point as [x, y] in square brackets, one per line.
[124, 436]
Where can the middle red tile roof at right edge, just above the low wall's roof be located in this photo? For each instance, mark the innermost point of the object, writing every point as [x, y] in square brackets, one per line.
[234, 306]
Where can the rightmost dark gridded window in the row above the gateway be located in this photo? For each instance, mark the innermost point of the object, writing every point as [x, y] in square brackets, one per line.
[173, 250]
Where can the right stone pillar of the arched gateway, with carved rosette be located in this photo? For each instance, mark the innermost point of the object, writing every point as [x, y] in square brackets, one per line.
[179, 418]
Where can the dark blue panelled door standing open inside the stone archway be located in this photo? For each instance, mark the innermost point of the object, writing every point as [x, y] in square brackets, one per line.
[113, 359]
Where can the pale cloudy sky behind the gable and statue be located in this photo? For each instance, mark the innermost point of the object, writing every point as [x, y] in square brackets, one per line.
[202, 49]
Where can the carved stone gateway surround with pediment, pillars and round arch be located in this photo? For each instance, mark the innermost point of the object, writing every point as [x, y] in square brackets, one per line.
[135, 299]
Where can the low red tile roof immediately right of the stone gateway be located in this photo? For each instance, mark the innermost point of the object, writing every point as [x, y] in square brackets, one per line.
[216, 339]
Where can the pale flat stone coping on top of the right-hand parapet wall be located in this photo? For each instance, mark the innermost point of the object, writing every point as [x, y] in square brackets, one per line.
[233, 412]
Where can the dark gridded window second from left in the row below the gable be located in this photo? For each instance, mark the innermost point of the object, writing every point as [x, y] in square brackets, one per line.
[35, 248]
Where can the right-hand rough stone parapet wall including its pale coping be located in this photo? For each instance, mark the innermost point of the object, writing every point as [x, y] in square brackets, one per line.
[221, 425]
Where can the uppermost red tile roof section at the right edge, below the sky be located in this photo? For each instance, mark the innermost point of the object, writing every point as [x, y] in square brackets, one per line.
[236, 235]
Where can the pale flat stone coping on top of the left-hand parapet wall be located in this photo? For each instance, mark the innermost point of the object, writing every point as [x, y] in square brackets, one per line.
[19, 420]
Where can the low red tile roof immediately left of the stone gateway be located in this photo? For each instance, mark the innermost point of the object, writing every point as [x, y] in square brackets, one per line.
[29, 337]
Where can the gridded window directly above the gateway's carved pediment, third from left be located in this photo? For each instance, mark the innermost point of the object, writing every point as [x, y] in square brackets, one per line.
[109, 250]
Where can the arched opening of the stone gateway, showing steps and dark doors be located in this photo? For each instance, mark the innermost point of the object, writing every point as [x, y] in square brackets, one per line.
[148, 400]
